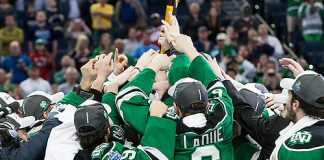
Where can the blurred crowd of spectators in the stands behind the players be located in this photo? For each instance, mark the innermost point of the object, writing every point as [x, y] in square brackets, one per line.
[44, 43]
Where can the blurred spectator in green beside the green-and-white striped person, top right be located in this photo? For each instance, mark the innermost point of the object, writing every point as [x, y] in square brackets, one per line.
[292, 18]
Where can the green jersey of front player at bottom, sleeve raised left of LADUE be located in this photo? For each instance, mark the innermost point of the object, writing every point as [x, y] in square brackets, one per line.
[151, 145]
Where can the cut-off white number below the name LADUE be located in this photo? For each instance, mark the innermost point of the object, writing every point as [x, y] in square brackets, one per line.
[208, 152]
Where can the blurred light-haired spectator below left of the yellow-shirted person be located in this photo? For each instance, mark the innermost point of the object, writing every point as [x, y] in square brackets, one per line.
[81, 51]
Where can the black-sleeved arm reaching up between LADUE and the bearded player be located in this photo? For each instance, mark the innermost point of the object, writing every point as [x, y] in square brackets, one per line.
[264, 132]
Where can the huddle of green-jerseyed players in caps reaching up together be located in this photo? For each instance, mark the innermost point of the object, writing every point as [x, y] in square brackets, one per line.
[179, 105]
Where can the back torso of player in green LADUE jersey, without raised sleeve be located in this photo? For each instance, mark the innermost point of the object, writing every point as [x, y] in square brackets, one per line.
[211, 142]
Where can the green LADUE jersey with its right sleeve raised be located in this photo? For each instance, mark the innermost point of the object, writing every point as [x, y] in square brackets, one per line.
[214, 141]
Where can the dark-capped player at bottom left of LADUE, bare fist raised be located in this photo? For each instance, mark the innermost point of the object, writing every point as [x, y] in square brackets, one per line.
[93, 129]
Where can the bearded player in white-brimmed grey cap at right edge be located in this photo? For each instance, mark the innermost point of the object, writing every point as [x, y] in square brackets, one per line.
[303, 138]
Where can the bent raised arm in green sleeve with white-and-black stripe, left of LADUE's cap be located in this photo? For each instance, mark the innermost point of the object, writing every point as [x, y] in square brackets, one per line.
[133, 101]
